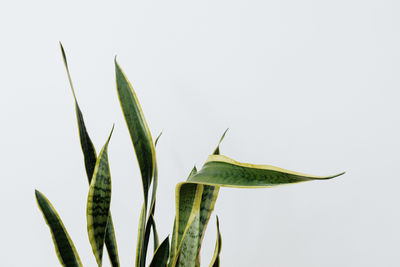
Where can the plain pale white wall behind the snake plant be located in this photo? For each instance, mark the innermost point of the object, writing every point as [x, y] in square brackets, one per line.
[311, 86]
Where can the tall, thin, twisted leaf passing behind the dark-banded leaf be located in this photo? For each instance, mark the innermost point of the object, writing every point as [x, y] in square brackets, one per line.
[89, 154]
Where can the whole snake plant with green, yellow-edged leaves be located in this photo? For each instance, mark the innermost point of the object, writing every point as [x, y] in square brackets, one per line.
[194, 198]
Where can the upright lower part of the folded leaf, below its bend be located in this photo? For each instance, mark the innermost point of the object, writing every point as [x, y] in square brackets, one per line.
[188, 199]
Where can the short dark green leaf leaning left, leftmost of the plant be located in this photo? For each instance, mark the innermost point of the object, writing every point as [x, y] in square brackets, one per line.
[65, 249]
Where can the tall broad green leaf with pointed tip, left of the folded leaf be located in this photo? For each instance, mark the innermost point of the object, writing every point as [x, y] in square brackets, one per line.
[138, 129]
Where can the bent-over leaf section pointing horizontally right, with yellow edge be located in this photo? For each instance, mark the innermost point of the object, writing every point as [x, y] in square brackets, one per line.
[220, 170]
